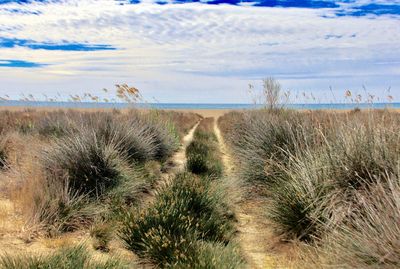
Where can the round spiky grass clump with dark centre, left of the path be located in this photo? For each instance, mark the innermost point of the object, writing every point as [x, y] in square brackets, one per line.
[91, 166]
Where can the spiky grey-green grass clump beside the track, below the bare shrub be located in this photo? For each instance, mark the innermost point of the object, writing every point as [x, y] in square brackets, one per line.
[266, 137]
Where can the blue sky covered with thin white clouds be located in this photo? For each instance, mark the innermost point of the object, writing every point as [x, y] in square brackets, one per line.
[205, 51]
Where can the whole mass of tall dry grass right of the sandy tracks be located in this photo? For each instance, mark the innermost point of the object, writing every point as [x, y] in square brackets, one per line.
[328, 175]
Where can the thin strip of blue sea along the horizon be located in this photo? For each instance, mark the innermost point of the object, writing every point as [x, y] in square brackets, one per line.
[311, 106]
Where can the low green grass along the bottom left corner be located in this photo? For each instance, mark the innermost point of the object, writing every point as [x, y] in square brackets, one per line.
[66, 258]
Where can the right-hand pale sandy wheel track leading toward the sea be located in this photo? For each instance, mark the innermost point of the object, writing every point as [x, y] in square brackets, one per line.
[257, 241]
